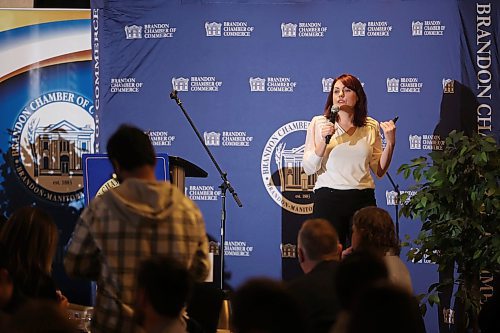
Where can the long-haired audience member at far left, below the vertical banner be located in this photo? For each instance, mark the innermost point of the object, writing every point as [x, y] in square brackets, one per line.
[30, 240]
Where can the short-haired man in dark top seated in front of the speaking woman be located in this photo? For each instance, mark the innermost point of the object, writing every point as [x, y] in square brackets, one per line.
[318, 252]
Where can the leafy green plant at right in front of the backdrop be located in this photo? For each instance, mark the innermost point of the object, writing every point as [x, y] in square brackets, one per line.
[458, 201]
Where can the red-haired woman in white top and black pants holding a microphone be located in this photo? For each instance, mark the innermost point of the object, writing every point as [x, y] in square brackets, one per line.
[344, 182]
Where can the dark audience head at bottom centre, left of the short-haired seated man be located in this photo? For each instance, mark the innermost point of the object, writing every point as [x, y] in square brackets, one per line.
[265, 306]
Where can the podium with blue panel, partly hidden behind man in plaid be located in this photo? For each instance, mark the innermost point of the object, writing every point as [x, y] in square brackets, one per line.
[98, 171]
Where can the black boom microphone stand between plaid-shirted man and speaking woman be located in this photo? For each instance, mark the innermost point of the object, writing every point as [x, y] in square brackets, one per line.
[224, 187]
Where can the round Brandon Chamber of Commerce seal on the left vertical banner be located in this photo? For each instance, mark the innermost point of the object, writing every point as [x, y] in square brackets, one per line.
[48, 138]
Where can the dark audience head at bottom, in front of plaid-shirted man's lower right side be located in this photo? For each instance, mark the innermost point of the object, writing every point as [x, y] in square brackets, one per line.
[163, 288]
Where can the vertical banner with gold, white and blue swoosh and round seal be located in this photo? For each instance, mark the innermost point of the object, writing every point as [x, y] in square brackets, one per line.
[47, 118]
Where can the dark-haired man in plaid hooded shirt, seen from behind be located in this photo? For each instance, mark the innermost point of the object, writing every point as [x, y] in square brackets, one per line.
[139, 219]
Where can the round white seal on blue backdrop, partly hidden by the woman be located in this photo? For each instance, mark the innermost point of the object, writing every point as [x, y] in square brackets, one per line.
[281, 169]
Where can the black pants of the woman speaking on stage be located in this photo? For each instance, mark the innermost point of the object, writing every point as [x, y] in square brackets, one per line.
[338, 207]
